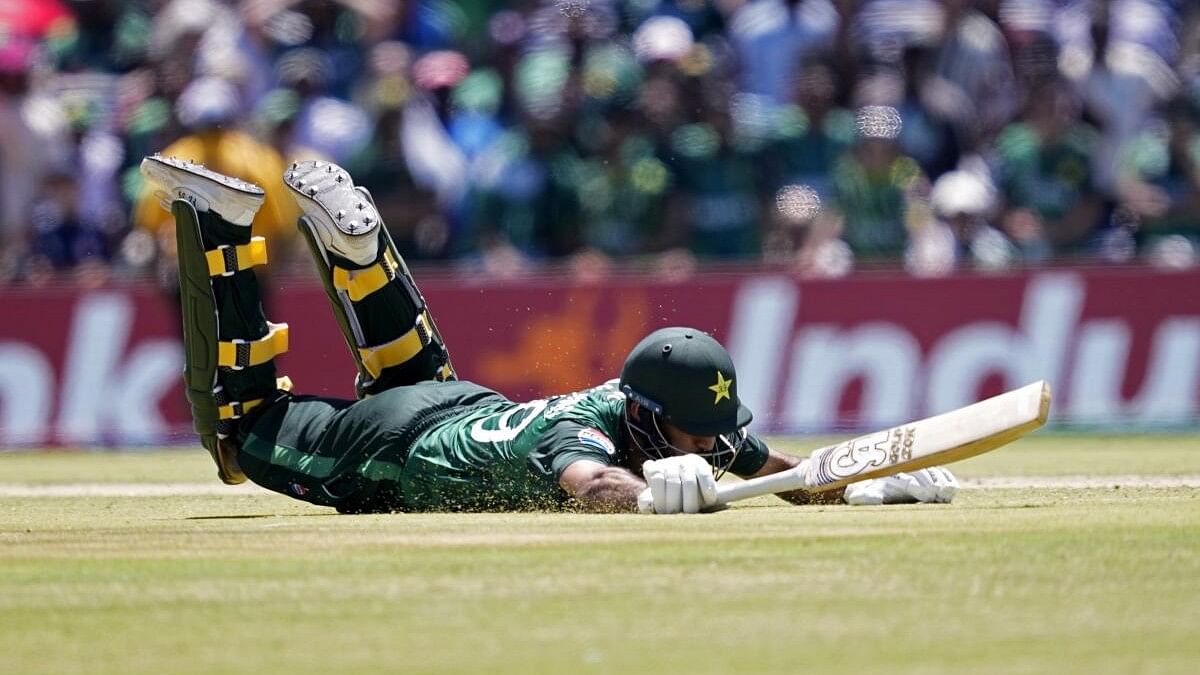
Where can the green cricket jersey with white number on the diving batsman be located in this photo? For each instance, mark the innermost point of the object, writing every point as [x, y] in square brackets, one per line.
[509, 456]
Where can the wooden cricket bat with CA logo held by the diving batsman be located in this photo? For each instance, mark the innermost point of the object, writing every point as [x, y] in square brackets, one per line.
[947, 438]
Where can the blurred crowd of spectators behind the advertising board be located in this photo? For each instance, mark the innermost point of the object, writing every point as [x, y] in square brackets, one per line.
[499, 139]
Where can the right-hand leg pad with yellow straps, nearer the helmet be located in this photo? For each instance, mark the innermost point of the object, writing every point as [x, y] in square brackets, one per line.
[382, 315]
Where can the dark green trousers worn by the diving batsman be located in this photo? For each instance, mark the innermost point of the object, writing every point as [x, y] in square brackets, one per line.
[332, 452]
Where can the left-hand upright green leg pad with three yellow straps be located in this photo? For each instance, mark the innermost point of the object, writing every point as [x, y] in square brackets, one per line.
[229, 344]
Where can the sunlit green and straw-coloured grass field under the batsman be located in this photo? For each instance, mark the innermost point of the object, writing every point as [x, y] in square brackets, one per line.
[1005, 581]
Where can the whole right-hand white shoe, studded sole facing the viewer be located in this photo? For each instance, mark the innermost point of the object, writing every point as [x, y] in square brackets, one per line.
[344, 217]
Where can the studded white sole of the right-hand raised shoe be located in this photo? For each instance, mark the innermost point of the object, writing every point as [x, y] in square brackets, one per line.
[327, 189]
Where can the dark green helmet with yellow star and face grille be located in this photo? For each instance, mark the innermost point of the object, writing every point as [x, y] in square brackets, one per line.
[686, 378]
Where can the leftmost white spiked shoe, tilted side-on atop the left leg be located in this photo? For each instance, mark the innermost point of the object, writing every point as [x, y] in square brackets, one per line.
[232, 199]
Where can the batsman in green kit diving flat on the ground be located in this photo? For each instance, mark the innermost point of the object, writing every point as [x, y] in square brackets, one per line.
[418, 439]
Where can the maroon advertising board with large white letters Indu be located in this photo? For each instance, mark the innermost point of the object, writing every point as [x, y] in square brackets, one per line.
[1120, 347]
